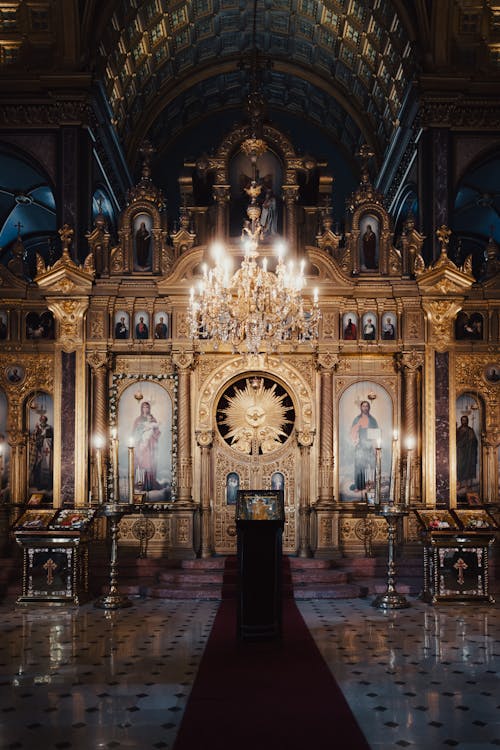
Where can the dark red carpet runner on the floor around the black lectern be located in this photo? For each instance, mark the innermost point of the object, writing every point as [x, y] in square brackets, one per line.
[271, 695]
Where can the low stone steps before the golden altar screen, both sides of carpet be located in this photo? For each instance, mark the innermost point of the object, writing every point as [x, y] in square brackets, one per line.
[215, 578]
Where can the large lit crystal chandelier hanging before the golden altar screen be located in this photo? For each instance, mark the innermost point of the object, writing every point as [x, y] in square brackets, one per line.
[253, 310]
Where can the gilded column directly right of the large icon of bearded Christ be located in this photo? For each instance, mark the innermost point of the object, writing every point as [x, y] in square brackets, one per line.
[411, 363]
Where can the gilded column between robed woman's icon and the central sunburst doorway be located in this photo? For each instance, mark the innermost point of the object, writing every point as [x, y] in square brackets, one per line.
[184, 361]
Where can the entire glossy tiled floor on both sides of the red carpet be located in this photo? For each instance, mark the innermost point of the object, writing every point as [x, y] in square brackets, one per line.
[425, 677]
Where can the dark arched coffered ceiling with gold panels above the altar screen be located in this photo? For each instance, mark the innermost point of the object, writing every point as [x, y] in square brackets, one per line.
[344, 64]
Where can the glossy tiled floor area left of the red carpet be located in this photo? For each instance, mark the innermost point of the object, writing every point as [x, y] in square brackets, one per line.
[90, 679]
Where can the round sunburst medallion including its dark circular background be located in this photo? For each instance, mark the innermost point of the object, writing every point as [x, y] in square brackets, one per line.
[255, 415]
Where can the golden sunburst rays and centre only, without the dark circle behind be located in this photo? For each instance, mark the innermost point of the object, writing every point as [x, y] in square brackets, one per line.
[256, 414]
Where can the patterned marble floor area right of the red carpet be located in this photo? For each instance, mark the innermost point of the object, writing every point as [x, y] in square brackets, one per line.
[424, 677]
